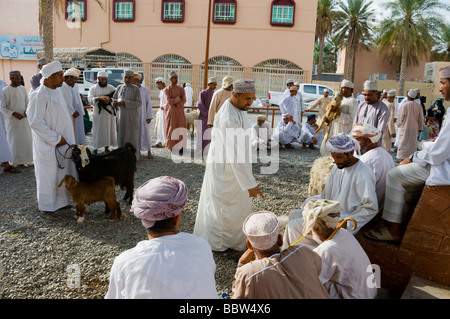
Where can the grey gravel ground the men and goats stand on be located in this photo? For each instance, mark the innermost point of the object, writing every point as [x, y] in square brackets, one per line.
[40, 257]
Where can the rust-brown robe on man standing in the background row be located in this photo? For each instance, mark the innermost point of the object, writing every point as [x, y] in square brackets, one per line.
[174, 117]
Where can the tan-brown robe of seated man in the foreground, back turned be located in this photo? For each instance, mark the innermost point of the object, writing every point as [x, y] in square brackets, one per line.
[292, 274]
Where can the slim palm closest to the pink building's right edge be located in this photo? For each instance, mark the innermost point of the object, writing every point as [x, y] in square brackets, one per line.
[324, 25]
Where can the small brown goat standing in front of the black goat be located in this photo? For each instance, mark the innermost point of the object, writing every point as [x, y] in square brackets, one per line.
[88, 193]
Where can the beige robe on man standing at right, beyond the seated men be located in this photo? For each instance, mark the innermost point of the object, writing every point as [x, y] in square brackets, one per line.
[410, 120]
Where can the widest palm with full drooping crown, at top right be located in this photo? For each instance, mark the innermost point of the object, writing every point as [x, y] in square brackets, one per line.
[407, 35]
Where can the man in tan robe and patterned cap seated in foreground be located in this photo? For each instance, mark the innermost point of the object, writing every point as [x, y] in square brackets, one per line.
[289, 274]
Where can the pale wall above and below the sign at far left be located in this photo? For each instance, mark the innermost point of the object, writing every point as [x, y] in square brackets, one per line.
[14, 20]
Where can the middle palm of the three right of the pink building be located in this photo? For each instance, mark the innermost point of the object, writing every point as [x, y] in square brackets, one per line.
[354, 30]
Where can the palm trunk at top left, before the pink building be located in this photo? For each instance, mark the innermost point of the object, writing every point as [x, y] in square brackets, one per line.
[46, 10]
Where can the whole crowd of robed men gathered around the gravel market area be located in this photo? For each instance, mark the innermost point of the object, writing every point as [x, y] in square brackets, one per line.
[315, 256]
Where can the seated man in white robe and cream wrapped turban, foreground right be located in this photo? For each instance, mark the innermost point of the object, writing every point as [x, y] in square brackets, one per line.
[345, 265]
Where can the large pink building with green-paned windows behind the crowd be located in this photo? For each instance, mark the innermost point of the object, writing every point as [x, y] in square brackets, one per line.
[269, 41]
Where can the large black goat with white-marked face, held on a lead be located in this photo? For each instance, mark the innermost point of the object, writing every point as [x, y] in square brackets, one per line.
[119, 164]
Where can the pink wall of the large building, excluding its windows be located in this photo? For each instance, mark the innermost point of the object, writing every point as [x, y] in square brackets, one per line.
[251, 40]
